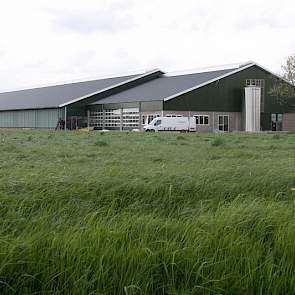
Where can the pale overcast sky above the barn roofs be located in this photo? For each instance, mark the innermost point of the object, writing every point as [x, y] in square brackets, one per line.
[47, 41]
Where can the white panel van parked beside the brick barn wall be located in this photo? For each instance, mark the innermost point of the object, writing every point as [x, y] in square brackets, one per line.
[184, 124]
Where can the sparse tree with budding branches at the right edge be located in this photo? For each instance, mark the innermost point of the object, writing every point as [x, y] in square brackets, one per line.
[281, 89]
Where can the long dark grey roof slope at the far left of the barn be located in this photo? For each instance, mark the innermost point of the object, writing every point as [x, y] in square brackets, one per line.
[53, 96]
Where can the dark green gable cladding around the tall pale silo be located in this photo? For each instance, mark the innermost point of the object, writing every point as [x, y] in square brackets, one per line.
[227, 95]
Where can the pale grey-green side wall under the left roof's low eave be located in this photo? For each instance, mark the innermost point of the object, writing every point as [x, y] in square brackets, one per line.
[44, 118]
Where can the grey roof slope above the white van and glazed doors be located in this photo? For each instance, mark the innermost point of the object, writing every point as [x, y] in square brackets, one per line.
[163, 87]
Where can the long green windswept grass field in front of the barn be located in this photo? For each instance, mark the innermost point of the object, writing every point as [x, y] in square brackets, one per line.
[130, 213]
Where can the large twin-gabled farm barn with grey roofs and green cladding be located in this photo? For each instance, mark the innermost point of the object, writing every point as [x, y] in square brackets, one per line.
[219, 98]
